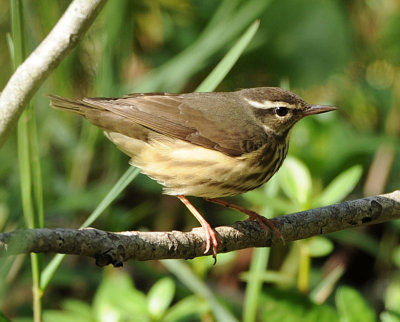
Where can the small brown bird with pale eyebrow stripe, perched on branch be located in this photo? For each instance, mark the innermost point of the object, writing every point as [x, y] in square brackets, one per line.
[208, 145]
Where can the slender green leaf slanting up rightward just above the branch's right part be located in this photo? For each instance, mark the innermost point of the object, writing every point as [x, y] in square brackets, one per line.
[340, 187]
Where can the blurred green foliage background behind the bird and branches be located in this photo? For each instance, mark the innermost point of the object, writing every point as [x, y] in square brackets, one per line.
[343, 53]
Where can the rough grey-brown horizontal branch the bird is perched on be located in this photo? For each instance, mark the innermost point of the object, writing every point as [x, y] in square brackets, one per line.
[115, 248]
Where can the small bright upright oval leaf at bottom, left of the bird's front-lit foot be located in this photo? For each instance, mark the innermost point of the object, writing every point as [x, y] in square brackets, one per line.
[160, 297]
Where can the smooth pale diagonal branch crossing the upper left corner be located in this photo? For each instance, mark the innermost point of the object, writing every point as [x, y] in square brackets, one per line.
[43, 60]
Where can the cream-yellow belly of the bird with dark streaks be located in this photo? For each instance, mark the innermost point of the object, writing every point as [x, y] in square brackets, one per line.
[185, 169]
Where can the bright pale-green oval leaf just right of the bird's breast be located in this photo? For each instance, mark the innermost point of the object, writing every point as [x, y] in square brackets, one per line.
[296, 181]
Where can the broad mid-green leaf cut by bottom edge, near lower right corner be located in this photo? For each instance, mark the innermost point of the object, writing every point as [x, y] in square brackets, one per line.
[352, 307]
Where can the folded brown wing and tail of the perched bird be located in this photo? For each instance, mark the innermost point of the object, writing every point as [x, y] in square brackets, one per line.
[211, 120]
